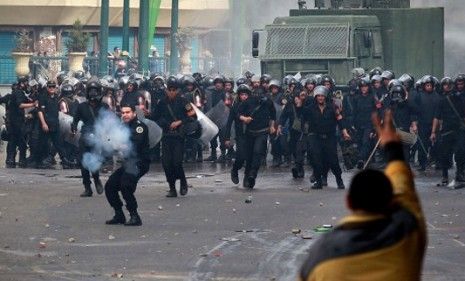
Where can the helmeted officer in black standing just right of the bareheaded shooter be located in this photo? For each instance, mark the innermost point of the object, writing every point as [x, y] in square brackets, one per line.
[173, 113]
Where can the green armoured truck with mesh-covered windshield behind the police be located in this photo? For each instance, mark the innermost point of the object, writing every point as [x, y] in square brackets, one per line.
[350, 34]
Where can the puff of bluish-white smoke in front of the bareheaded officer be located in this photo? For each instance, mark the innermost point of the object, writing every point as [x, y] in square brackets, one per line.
[110, 137]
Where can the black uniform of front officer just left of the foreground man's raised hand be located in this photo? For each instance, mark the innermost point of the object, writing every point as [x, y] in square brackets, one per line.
[322, 139]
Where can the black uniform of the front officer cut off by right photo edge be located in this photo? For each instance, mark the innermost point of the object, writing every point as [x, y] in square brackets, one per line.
[452, 134]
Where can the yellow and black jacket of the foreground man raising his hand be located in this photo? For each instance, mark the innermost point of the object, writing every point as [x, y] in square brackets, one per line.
[374, 247]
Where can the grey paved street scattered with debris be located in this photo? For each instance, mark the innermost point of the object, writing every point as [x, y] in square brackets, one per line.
[49, 233]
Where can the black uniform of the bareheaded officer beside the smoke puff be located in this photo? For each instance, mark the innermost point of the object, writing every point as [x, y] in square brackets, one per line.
[137, 164]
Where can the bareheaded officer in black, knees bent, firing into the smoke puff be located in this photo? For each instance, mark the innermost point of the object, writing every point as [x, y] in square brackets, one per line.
[134, 166]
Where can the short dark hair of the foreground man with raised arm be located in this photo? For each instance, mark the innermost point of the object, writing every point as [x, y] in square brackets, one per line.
[370, 190]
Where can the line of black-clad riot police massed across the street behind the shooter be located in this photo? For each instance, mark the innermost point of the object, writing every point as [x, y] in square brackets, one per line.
[303, 119]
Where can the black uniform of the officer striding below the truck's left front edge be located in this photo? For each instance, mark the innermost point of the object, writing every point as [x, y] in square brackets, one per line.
[262, 111]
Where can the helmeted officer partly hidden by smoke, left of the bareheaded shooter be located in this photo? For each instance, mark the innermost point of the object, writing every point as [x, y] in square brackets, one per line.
[88, 112]
